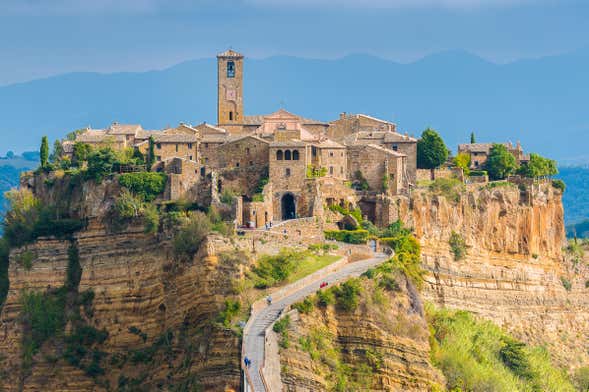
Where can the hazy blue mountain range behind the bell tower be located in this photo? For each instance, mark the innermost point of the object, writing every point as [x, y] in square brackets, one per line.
[542, 102]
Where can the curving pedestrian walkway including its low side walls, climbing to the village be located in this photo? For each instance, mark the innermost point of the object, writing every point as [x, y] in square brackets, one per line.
[262, 316]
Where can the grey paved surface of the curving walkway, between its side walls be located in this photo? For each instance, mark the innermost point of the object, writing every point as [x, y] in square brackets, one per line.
[254, 339]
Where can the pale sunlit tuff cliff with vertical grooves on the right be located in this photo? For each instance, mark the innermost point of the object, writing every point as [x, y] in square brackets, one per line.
[514, 272]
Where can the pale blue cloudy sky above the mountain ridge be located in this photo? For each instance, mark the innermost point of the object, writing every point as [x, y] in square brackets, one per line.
[41, 38]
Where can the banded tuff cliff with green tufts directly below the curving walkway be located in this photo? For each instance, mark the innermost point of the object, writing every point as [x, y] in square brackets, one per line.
[382, 345]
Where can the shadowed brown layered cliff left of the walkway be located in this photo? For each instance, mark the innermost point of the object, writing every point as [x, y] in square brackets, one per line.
[158, 314]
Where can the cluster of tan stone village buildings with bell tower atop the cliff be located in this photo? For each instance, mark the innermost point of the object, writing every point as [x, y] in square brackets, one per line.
[281, 166]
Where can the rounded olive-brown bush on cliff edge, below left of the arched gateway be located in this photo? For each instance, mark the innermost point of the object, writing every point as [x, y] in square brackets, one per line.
[187, 240]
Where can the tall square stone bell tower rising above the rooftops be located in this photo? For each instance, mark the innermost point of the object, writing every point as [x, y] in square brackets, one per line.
[229, 89]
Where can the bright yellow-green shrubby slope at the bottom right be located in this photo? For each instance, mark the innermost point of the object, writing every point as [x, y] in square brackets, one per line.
[477, 355]
